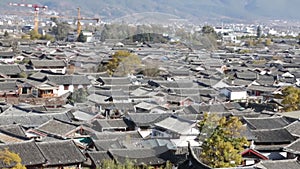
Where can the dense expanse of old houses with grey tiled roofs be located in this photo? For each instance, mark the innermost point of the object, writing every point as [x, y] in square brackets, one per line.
[149, 120]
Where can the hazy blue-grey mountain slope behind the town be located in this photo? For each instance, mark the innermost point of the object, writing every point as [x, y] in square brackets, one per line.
[193, 10]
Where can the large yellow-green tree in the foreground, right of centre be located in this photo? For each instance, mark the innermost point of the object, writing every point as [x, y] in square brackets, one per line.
[223, 143]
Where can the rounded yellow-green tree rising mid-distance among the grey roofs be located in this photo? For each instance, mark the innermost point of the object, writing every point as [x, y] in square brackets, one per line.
[122, 63]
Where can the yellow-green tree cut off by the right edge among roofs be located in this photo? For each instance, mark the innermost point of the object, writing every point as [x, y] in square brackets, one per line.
[291, 98]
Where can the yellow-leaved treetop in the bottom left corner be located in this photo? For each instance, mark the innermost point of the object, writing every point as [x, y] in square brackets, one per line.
[11, 159]
